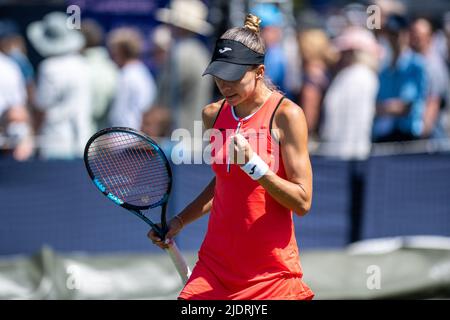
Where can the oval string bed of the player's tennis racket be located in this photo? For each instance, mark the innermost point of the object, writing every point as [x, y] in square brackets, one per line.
[129, 167]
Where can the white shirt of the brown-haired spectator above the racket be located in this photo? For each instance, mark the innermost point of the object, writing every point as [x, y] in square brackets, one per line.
[135, 94]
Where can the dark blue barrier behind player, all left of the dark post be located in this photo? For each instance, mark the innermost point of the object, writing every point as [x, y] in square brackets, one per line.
[55, 203]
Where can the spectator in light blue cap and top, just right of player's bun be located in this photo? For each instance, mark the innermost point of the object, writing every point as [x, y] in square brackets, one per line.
[271, 32]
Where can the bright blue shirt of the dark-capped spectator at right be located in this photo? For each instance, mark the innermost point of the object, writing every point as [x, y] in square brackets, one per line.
[406, 81]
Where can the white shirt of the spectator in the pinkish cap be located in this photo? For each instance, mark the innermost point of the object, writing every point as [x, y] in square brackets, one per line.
[349, 108]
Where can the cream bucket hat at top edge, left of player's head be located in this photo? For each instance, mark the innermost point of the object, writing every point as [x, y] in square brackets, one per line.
[187, 14]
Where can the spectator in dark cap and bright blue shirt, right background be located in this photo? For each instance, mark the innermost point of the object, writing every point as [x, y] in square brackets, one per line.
[403, 88]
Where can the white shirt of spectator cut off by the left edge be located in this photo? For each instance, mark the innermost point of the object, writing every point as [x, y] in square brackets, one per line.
[12, 86]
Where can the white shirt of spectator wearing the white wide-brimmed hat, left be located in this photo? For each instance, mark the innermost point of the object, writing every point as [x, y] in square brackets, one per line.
[63, 94]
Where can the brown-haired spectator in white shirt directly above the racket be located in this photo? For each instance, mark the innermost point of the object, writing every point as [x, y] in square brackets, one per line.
[136, 89]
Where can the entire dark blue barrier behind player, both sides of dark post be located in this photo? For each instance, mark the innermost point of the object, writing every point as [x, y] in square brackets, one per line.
[55, 203]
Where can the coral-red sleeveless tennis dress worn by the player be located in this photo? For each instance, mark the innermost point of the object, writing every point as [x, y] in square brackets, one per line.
[250, 250]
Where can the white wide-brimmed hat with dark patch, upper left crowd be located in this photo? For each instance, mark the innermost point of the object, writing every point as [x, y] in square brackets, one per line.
[52, 36]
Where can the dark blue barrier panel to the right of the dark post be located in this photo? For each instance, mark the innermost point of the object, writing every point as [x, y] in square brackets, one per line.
[407, 195]
